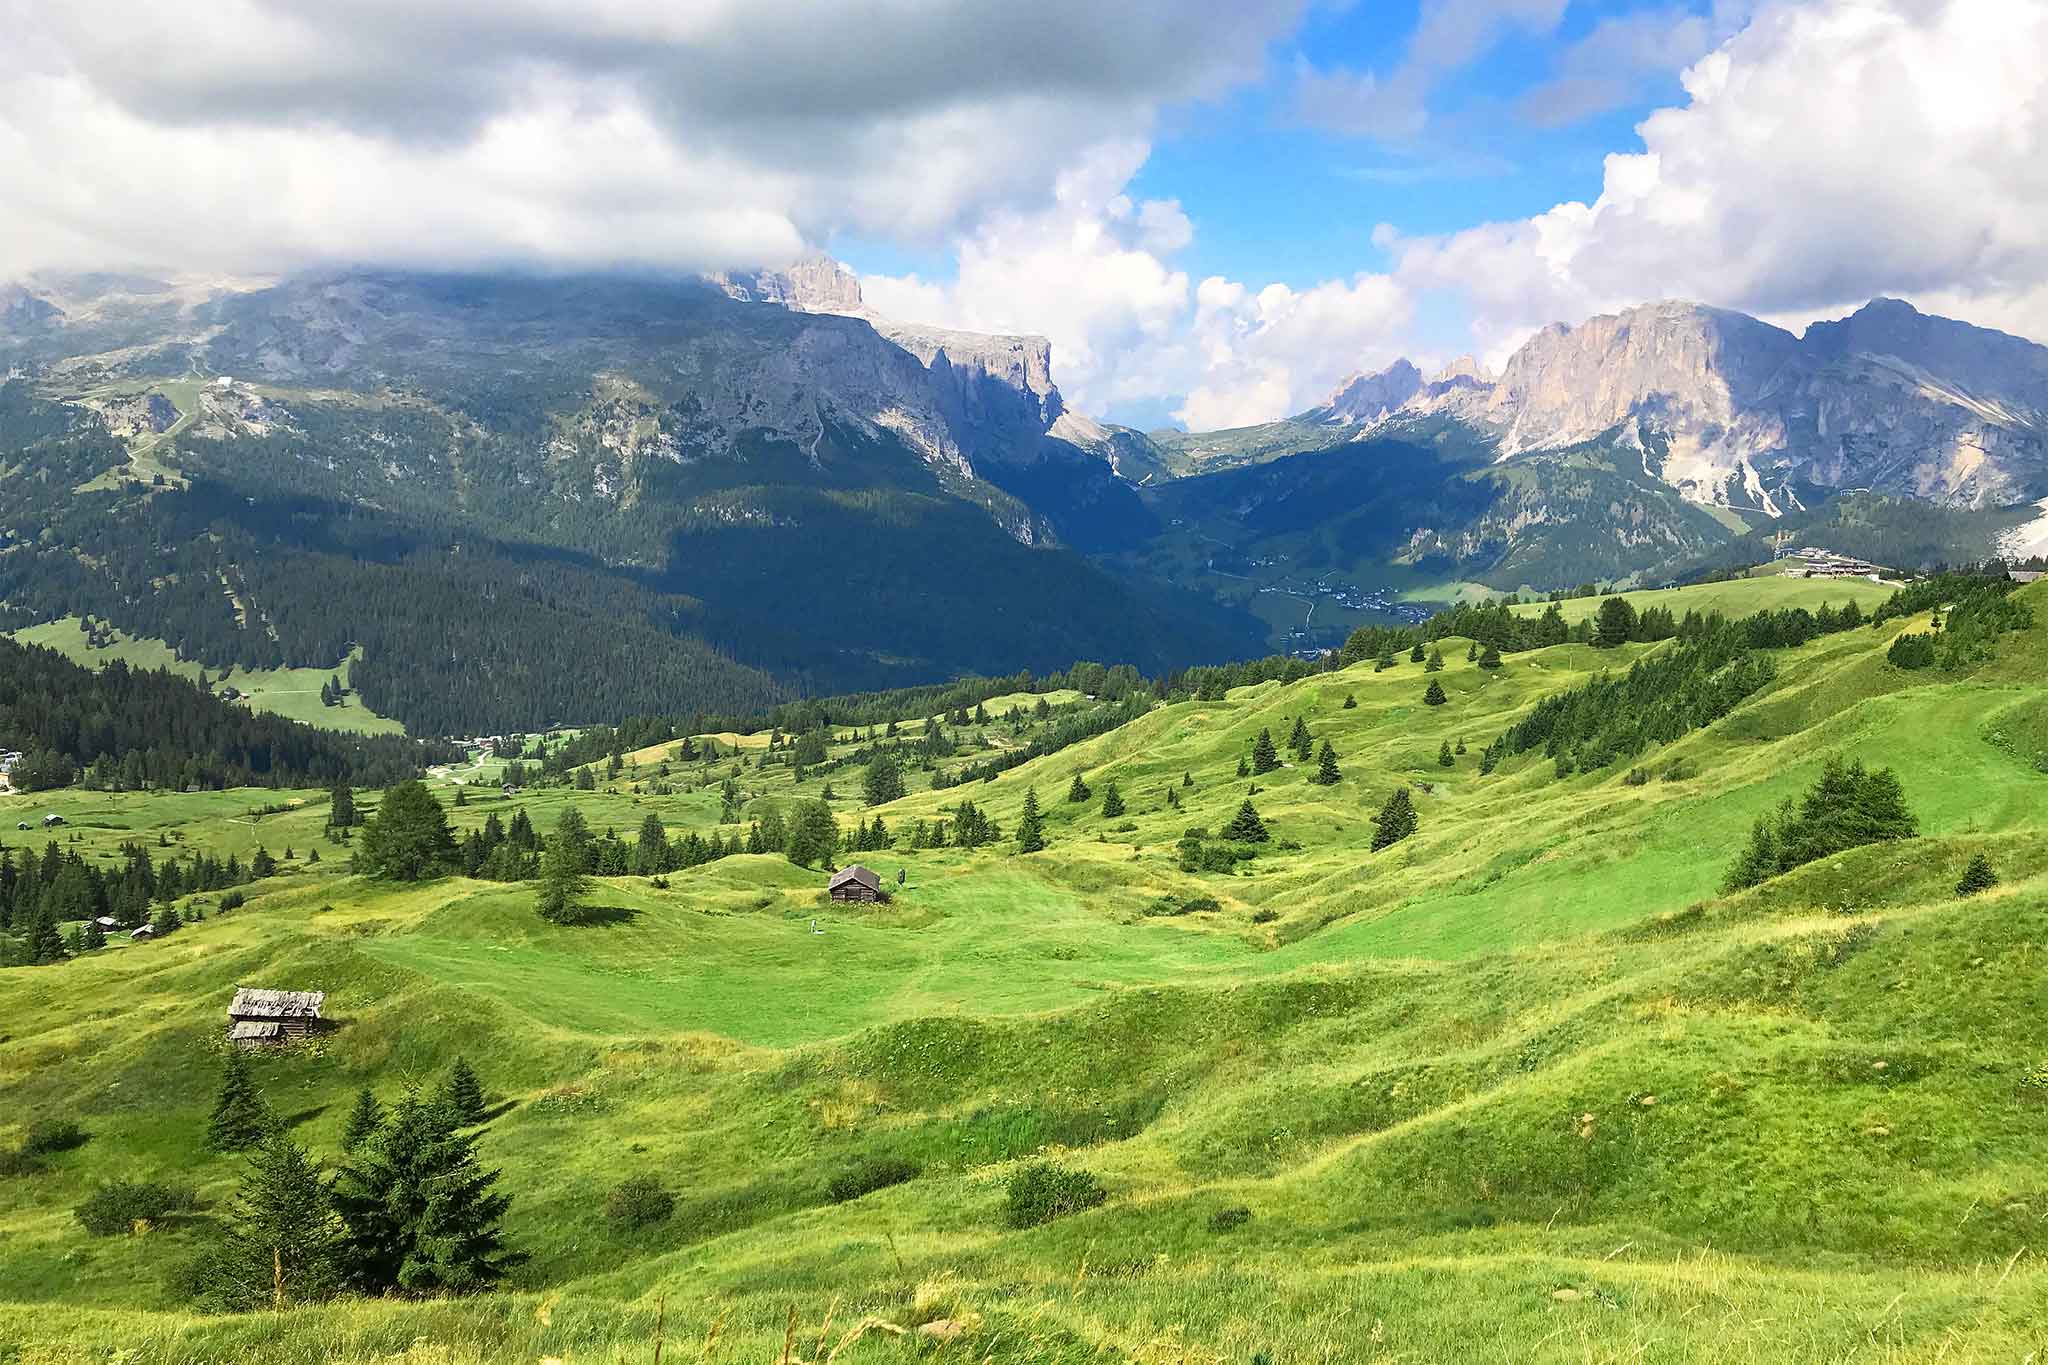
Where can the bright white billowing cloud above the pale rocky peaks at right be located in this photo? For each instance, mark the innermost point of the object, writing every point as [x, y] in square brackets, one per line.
[1828, 152]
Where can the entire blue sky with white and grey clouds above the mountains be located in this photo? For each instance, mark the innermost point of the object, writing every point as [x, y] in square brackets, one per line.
[1215, 212]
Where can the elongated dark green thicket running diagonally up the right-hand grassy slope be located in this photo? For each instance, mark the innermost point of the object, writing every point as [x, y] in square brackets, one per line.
[1664, 697]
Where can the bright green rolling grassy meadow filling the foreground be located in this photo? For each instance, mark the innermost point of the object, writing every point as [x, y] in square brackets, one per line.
[1521, 1088]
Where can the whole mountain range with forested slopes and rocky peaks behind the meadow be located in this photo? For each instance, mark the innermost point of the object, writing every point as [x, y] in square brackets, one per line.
[531, 500]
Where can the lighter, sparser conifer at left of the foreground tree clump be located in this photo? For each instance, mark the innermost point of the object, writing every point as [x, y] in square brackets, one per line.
[282, 1241]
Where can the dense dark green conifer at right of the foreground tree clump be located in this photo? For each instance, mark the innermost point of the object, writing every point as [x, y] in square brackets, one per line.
[419, 1210]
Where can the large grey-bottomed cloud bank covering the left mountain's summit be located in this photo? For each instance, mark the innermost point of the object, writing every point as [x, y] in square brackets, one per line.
[267, 134]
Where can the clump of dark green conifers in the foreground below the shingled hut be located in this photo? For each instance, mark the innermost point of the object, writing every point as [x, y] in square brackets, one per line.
[409, 1210]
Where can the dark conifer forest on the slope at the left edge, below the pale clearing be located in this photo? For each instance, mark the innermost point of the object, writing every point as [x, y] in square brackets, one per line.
[134, 730]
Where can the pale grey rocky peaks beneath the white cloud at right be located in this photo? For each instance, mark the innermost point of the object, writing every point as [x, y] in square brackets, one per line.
[1746, 414]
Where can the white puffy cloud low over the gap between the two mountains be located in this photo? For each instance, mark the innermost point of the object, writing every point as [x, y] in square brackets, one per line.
[1095, 275]
